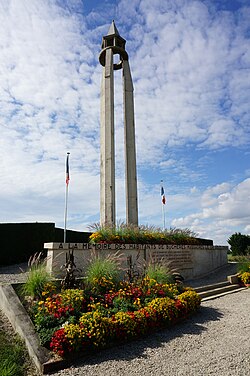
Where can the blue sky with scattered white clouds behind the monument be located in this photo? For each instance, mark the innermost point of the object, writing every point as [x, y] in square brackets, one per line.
[190, 63]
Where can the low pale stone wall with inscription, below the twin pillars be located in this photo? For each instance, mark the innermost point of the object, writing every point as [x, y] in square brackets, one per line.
[192, 261]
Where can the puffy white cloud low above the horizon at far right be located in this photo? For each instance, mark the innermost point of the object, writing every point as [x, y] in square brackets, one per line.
[226, 209]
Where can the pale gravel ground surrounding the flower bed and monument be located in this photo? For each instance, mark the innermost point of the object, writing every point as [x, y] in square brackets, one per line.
[215, 341]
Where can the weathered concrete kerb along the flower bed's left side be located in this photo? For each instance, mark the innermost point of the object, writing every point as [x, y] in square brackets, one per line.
[11, 306]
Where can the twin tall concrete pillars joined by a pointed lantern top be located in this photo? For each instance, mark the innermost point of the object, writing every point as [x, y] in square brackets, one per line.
[113, 44]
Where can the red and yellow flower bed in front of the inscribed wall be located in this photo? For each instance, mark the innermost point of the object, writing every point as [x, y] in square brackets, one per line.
[105, 313]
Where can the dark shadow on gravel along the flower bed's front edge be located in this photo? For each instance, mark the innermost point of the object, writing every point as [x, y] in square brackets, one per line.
[135, 349]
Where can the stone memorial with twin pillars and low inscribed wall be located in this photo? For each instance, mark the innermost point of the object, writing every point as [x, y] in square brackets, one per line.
[191, 260]
